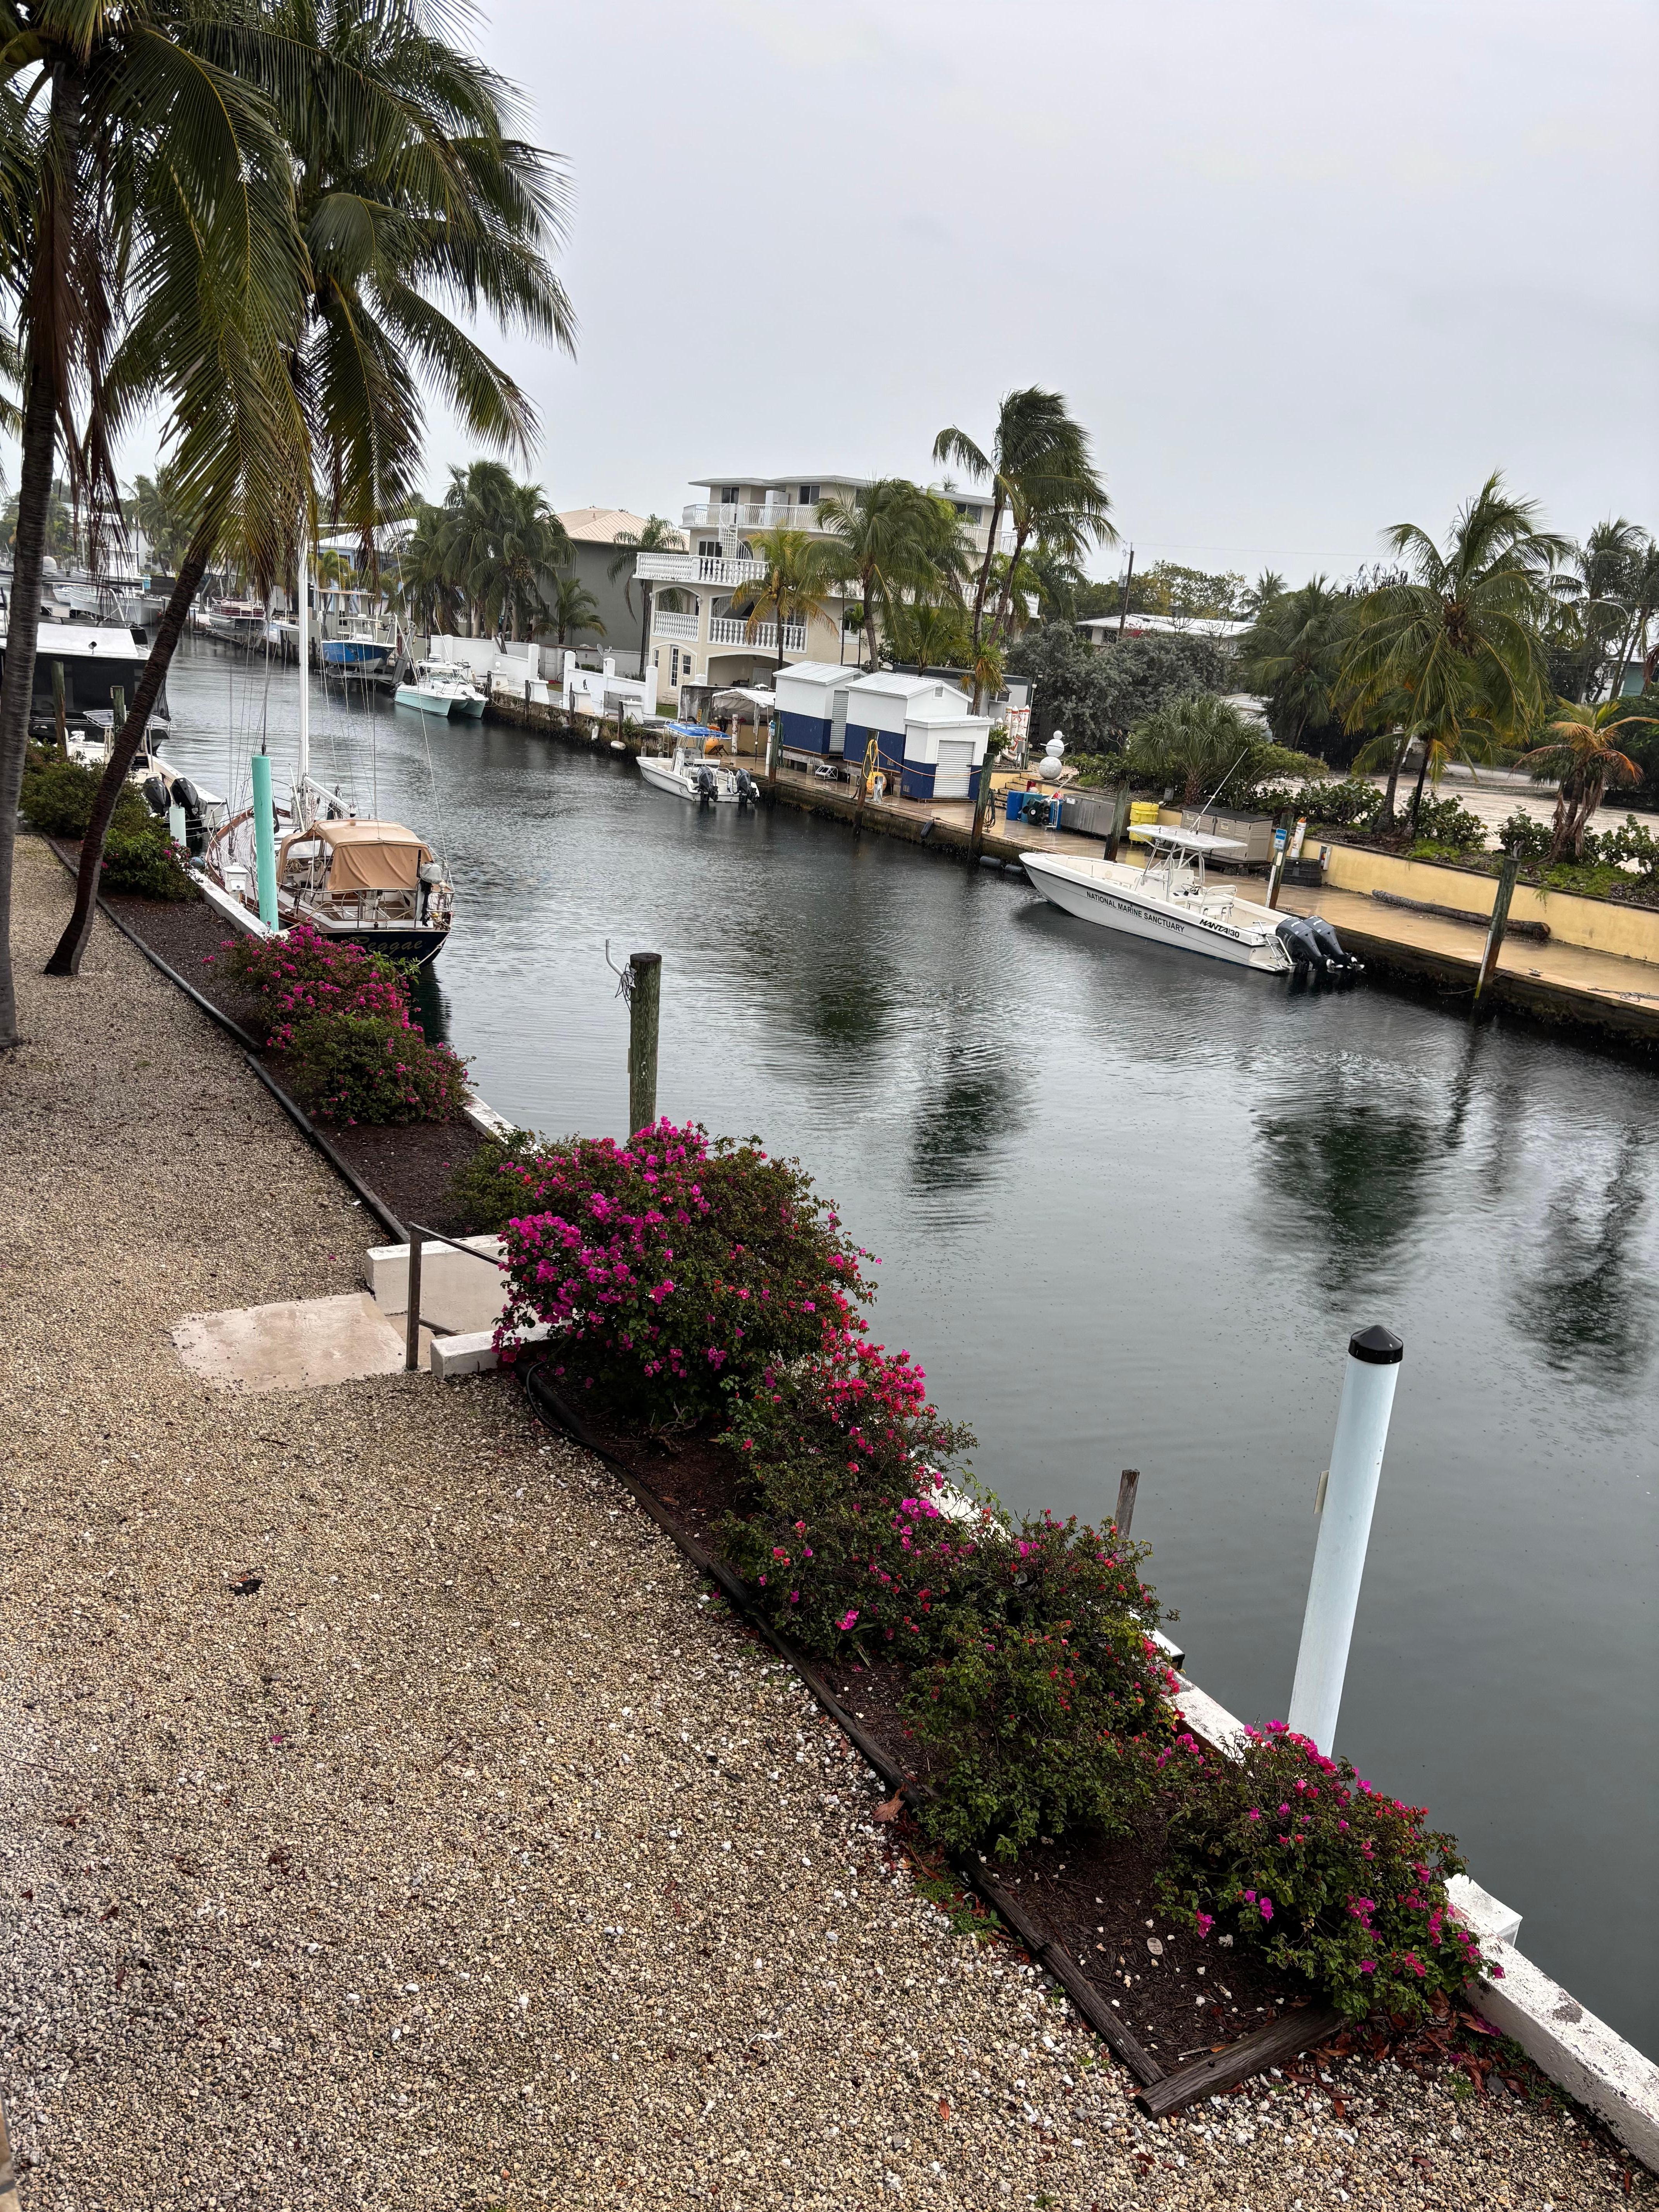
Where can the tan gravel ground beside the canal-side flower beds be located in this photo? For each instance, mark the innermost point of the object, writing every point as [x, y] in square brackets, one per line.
[474, 1859]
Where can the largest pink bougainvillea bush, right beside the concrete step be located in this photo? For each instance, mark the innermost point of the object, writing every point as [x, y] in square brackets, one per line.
[674, 1266]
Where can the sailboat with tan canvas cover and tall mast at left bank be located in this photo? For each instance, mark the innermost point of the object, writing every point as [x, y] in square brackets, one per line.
[355, 881]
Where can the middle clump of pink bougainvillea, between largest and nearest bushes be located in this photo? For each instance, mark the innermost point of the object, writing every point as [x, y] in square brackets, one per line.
[1032, 1676]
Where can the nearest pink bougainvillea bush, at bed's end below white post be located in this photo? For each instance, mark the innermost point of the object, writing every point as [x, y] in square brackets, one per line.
[1302, 1859]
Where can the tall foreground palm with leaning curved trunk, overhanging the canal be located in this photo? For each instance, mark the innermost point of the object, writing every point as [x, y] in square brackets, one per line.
[415, 196]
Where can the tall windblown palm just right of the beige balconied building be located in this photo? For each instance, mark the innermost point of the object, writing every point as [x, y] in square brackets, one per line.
[1043, 474]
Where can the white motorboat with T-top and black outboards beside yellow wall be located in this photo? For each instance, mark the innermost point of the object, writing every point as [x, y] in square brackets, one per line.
[1171, 904]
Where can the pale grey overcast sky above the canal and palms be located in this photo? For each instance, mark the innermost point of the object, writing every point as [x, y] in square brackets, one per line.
[1302, 267]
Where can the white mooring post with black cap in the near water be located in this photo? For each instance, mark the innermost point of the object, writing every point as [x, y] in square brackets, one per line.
[1348, 1496]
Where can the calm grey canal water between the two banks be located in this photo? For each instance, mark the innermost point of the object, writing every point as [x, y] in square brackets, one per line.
[1129, 1209]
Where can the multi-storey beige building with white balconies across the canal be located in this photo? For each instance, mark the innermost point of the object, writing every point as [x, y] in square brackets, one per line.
[698, 638]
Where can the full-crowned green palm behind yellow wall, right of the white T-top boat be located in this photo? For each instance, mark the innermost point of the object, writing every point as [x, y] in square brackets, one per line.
[1459, 634]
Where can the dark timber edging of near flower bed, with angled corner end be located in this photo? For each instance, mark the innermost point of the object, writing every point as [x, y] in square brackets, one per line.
[1222, 2069]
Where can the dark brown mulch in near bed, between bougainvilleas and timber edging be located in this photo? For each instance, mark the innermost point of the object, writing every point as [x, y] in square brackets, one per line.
[1178, 1996]
